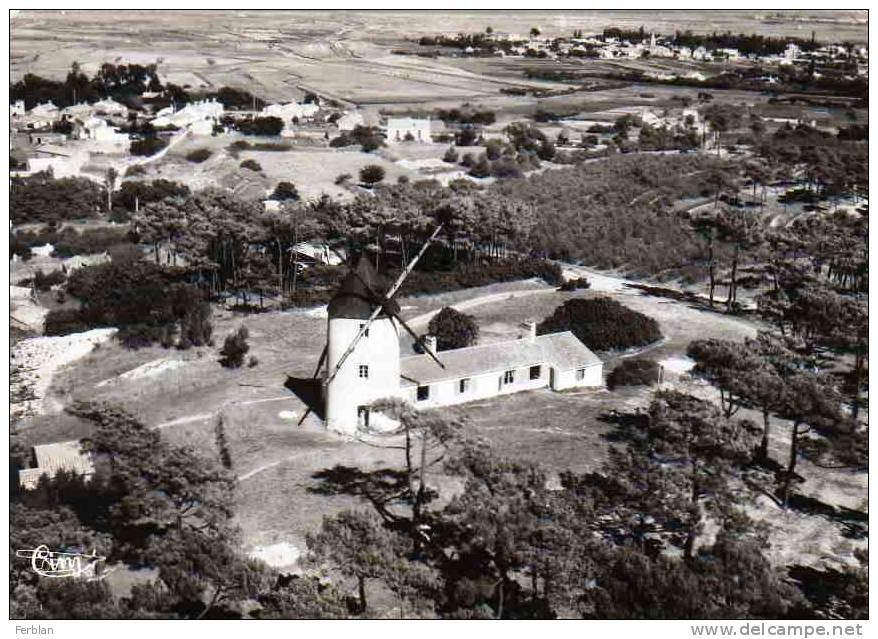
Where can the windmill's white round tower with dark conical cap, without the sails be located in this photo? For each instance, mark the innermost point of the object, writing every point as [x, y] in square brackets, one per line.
[371, 371]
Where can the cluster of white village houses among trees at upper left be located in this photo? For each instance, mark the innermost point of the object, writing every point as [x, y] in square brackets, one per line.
[63, 140]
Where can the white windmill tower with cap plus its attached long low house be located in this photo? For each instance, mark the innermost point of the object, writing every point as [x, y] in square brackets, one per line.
[374, 370]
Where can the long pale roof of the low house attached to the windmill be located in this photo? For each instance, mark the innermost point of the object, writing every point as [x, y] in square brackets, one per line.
[562, 350]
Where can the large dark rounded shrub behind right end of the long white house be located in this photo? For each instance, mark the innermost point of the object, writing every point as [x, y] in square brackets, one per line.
[602, 324]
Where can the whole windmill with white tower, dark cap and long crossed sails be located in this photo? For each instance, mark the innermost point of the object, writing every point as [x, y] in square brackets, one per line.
[356, 313]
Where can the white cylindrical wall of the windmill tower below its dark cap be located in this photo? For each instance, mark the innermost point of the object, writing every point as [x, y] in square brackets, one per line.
[379, 351]
